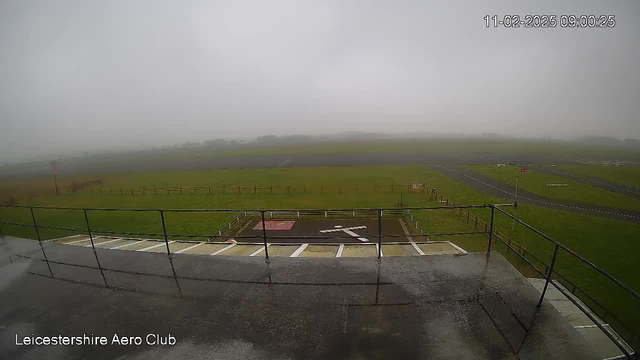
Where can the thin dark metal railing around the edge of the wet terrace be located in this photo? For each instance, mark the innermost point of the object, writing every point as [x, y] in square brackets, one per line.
[628, 346]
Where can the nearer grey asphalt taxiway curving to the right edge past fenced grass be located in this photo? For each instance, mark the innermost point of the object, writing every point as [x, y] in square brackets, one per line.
[490, 186]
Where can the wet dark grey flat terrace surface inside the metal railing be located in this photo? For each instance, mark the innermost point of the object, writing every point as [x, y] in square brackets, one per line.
[427, 307]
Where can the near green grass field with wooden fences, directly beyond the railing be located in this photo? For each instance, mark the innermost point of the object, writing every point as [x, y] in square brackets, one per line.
[606, 242]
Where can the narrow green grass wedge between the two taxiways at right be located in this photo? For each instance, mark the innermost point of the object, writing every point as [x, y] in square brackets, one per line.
[535, 182]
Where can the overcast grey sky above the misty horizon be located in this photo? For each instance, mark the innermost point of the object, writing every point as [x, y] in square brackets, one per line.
[95, 74]
